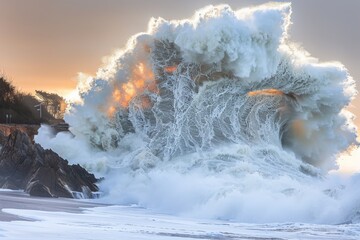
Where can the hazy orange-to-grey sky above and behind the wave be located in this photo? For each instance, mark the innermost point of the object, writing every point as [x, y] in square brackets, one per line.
[44, 44]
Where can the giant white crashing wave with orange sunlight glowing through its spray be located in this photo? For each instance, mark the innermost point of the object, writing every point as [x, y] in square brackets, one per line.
[218, 116]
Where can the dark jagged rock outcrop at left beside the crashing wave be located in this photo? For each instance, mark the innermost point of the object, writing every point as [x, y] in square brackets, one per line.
[40, 172]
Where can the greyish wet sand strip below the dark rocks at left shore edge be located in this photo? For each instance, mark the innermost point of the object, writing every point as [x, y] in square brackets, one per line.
[21, 200]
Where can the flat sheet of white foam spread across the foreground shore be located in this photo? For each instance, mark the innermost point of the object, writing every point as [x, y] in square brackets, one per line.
[116, 222]
